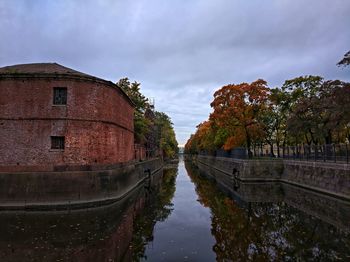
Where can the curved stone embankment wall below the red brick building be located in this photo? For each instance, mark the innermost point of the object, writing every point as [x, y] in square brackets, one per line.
[68, 190]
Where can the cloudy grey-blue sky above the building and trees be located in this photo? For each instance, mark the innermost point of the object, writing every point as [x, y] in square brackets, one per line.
[181, 51]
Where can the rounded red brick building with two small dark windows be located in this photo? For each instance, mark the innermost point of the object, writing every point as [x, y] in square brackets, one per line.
[54, 118]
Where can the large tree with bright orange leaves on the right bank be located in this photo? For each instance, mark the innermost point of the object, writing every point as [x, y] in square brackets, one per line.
[237, 109]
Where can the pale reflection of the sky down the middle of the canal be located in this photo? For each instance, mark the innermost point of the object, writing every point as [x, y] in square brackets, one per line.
[185, 234]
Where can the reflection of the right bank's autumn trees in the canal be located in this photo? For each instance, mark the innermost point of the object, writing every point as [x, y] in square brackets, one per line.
[267, 231]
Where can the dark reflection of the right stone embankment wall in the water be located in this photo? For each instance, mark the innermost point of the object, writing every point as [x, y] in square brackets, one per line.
[310, 202]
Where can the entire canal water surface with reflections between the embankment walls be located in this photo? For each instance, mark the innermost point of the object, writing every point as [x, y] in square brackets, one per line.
[186, 216]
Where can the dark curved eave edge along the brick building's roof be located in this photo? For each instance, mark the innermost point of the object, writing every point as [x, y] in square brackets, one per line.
[67, 76]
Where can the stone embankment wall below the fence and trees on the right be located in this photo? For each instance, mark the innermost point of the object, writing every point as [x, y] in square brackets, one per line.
[326, 178]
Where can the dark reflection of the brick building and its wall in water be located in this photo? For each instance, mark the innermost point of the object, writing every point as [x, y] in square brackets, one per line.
[100, 234]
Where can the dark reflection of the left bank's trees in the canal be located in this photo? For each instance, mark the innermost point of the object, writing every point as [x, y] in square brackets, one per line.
[159, 208]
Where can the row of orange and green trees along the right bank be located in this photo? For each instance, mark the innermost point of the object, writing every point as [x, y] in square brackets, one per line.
[304, 110]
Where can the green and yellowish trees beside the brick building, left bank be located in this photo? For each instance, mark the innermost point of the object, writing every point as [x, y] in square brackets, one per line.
[152, 129]
